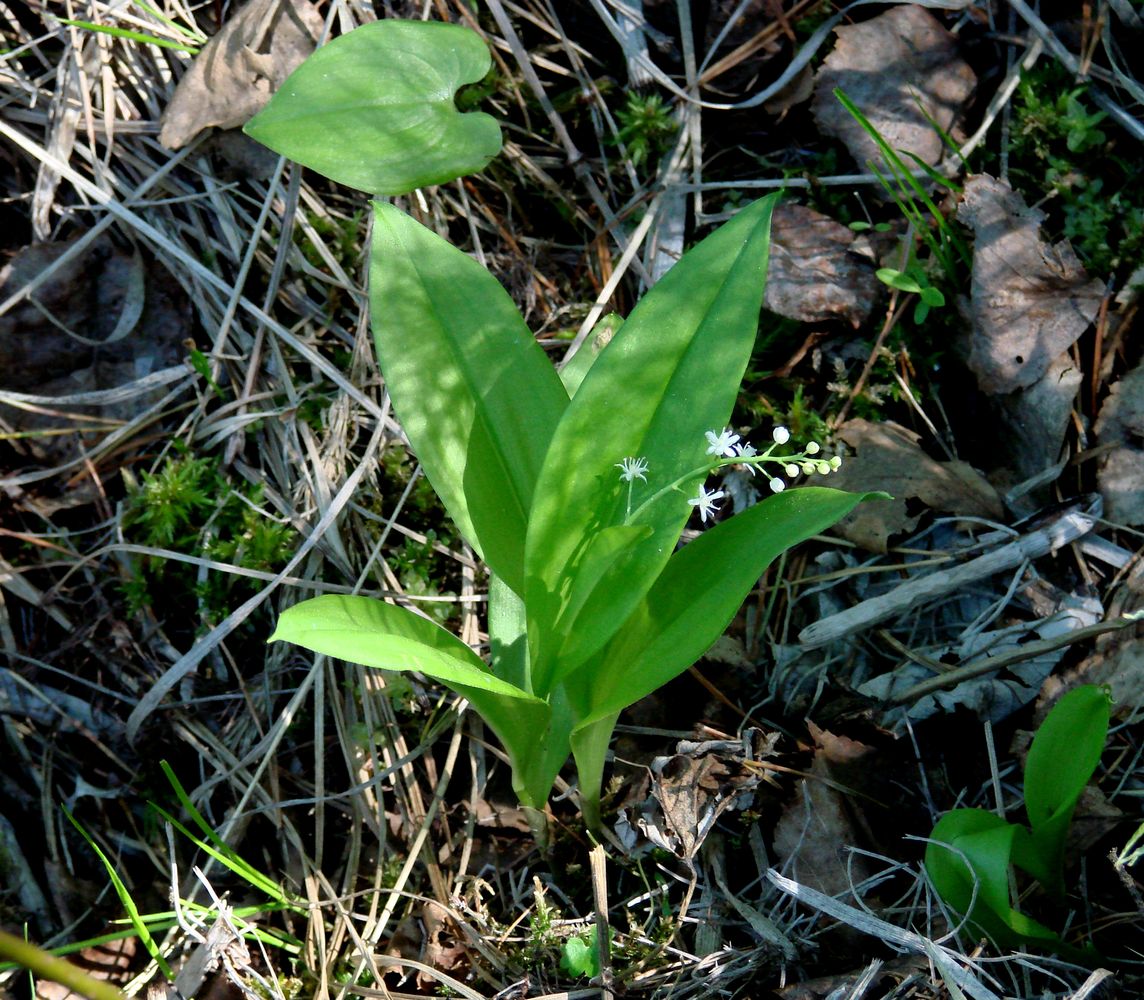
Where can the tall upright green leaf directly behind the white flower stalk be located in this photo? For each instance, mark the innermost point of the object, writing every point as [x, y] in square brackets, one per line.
[672, 371]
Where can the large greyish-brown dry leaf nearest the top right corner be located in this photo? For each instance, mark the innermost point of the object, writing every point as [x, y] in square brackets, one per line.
[903, 72]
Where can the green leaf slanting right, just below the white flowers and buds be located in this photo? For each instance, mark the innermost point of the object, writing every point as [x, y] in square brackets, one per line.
[701, 591]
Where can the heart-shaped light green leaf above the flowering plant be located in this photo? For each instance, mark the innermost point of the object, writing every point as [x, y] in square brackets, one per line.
[375, 108]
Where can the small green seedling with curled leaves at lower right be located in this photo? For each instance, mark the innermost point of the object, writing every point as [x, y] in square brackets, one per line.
[972, 852]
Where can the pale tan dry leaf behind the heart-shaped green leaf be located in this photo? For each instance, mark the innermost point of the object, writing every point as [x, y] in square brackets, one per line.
[241, 68]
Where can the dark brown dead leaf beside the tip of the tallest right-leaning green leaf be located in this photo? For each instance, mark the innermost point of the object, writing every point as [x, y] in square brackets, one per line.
[815, 273]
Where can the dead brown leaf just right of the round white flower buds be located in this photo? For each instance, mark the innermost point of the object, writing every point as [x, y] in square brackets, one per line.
[888, 458]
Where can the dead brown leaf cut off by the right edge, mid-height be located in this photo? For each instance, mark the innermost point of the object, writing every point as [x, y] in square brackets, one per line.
[1122, 474]
